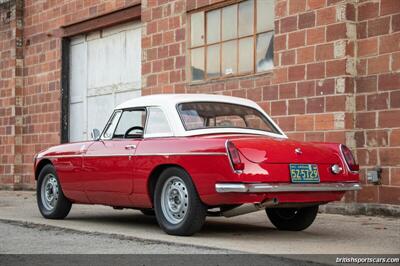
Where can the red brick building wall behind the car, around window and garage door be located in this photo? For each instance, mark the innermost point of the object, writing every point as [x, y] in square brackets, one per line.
[336, 77]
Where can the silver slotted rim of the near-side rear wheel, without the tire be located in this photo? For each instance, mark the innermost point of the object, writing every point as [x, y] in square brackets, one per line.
[174, 200]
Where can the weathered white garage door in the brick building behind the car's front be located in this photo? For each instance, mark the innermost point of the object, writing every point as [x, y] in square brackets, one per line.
[105, 70]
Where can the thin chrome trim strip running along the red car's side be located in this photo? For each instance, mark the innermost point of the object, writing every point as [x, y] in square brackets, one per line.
[142, 154]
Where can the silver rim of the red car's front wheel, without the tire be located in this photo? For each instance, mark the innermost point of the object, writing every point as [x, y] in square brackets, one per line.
[49, 192]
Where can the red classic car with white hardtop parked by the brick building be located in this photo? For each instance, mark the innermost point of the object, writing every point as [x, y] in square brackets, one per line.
[183, 157]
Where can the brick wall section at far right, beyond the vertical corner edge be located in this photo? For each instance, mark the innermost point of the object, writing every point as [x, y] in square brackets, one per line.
[378, 97]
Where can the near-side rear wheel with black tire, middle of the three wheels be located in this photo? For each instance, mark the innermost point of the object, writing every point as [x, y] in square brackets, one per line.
[178, 208]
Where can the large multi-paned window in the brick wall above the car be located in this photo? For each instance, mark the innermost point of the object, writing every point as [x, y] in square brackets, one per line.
[232, 40]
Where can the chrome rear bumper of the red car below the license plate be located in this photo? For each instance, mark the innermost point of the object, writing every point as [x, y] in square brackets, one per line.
[284, 187]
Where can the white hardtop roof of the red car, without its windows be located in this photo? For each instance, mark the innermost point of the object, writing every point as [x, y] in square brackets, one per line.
[168, 102]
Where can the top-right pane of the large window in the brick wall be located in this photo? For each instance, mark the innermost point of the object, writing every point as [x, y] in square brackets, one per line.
[265, 15]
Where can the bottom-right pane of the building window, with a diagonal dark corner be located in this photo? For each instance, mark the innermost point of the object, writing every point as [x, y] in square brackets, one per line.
[265, 51]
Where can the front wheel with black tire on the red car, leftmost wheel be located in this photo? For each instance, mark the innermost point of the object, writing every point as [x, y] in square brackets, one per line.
[50, 198]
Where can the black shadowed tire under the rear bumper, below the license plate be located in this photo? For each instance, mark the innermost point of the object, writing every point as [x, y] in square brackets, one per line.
[292, 219]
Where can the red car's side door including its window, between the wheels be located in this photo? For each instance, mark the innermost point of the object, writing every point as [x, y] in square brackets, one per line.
[108, 163]
